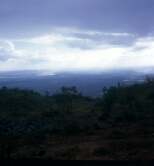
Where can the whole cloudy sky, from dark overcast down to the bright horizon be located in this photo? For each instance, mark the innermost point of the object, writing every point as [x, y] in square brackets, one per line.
[76, 35]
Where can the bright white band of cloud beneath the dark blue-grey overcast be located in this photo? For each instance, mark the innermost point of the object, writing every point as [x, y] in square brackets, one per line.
[66, 51]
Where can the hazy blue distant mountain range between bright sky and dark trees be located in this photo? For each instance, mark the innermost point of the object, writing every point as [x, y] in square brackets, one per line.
[89, 84]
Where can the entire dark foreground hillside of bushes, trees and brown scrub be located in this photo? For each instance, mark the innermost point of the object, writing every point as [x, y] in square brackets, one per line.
[30, 121]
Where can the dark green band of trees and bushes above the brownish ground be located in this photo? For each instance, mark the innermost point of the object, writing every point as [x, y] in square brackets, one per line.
[24, 112]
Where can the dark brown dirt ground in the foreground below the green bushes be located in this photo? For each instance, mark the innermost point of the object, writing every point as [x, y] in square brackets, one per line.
[117, 143]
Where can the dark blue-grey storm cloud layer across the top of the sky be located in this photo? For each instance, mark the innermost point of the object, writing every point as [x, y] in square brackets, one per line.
[25, 17]
